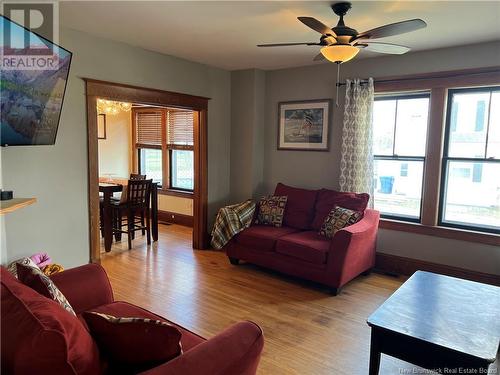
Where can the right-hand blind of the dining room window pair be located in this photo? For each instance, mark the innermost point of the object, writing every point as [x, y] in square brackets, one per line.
[180, 130]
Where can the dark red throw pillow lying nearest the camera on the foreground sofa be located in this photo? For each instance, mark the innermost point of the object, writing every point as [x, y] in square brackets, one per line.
[134, 343]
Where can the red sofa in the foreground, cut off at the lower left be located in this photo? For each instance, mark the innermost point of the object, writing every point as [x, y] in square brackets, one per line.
[39, 337]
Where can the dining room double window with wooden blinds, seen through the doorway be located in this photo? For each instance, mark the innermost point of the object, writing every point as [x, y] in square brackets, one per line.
[165, 147]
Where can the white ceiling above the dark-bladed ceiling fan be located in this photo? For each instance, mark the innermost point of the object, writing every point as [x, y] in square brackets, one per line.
[225, 33]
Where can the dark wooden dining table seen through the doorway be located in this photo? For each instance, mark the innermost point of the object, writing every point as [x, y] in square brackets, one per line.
[108, 189]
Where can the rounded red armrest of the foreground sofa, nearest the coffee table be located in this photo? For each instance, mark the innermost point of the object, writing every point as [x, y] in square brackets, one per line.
[236, 350]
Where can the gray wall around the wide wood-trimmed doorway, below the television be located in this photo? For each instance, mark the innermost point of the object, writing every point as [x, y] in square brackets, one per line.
[57, 175]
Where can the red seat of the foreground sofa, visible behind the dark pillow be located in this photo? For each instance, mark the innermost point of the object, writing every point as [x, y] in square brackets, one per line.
[188, 340]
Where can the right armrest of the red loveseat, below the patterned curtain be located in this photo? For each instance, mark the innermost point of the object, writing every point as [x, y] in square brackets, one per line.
[352, 250]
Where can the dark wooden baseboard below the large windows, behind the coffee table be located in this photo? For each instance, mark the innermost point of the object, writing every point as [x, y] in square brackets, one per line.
[407, 266]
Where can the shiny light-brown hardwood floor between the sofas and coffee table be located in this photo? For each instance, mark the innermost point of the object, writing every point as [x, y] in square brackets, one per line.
[306, 330]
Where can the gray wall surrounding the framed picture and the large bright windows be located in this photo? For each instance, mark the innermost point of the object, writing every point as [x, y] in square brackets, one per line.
[321, 169]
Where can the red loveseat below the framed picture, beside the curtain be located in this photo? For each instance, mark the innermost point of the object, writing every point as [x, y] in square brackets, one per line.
[297, 249]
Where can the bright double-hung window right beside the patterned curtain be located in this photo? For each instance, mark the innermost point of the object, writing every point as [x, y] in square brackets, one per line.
[399, 141]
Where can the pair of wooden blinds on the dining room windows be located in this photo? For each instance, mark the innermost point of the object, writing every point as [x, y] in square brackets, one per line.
[179, 129]
